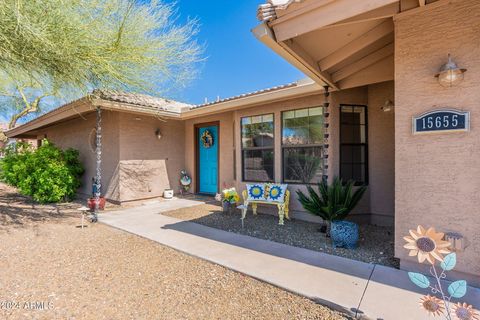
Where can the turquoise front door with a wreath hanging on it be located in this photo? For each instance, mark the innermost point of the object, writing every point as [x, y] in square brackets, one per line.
[208, 159]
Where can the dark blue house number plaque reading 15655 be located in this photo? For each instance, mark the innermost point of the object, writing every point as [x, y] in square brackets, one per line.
[443, 120]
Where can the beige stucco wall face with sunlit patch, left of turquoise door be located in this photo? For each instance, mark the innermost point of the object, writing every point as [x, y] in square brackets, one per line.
[148, 165]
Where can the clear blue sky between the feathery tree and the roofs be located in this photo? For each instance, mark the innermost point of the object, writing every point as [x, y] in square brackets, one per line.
[236, 61]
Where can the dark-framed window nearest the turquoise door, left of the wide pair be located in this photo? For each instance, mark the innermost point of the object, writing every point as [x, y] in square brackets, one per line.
[258, 138]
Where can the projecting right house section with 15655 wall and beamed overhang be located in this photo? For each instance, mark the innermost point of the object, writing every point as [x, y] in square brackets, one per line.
[343, 44]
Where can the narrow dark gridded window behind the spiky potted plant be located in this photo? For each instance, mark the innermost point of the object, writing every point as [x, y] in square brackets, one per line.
[354, 144]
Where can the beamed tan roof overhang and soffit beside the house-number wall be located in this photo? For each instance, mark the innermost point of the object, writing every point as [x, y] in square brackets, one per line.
[341, 40]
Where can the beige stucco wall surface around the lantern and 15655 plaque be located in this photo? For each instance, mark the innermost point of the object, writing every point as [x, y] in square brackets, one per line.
[437, 176]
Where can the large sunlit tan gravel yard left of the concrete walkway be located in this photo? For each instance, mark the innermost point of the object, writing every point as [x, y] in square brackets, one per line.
[48, 263]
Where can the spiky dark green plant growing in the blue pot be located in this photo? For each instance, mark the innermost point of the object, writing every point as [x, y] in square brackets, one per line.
[332, 202]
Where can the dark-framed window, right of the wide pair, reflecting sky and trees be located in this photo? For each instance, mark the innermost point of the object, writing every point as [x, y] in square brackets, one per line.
[302, 145]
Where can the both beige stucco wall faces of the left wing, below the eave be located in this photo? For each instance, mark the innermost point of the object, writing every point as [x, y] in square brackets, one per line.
[135, 164]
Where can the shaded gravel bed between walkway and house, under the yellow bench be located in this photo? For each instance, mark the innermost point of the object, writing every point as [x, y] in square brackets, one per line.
[376, 244]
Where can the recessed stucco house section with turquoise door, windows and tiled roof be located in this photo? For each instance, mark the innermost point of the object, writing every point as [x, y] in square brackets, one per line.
[138, 164]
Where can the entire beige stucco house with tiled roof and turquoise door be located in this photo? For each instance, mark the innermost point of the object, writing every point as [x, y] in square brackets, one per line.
[371, 66]
